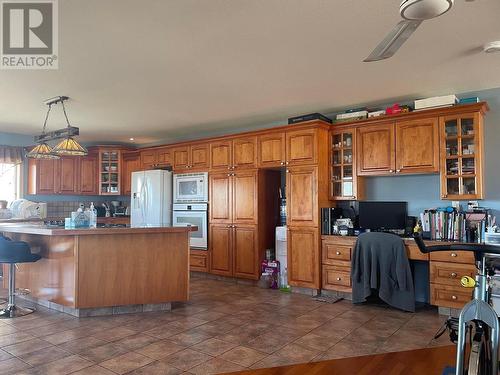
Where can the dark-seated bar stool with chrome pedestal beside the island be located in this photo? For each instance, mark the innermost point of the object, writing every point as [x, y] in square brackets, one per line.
[12, 252]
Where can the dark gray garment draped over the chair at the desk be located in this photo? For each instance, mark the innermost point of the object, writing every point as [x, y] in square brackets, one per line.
[380, 262]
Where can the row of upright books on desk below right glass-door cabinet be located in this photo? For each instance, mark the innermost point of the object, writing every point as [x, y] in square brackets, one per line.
[442, 224]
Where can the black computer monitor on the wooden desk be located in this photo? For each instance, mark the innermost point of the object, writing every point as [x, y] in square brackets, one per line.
[382, 215]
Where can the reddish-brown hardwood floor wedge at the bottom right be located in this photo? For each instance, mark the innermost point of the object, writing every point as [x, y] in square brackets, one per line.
[417, 362]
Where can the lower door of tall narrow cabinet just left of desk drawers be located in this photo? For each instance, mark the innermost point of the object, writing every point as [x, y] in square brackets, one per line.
[303, 257]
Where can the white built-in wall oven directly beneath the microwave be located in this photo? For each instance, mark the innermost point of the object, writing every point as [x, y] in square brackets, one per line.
[193, 214]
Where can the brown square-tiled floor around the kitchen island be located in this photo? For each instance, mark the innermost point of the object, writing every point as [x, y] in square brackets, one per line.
[225, 327]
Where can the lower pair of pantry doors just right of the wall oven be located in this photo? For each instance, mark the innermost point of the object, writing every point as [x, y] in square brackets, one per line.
[234, 250]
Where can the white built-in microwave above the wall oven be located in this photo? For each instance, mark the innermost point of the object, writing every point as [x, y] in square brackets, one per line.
[191, 187]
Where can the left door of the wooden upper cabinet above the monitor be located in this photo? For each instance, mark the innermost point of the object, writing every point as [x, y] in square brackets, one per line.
[376, 149]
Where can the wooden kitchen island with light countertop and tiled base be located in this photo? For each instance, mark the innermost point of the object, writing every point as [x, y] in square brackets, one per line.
[103, 271]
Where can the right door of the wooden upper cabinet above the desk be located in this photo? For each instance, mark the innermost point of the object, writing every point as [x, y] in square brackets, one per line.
[417, 146]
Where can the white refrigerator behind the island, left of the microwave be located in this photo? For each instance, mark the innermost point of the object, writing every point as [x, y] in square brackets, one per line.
[151, 198]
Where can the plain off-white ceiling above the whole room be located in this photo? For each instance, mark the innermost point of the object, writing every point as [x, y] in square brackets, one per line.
[177, 69]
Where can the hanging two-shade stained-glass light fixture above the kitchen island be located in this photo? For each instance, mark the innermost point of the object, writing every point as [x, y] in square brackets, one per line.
[67, 146]
